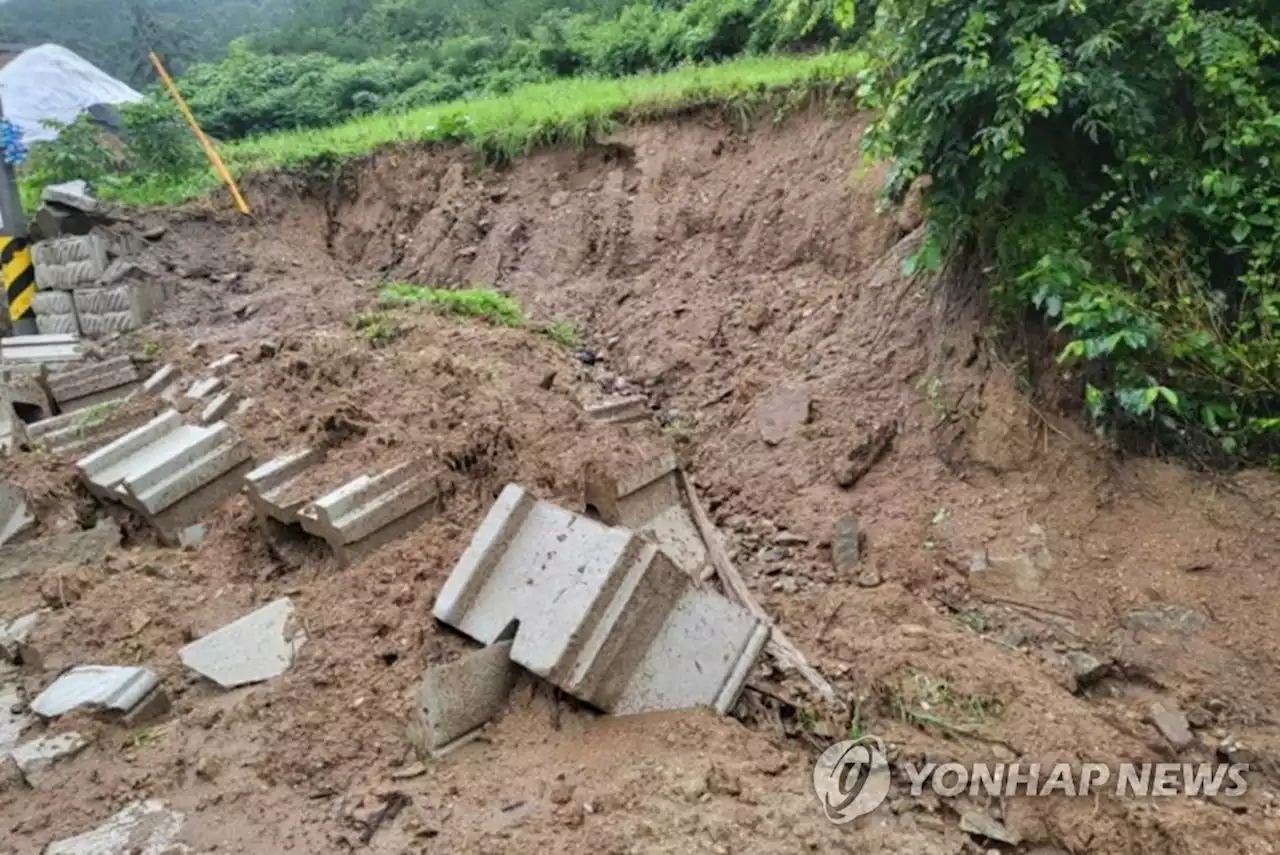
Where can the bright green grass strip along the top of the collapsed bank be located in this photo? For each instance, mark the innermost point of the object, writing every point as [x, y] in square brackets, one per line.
[568, 112]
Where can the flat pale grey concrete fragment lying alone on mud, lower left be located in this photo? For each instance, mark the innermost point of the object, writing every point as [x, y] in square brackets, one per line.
[255, 648]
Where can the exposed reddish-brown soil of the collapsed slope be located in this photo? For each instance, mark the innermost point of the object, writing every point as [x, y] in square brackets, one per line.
[739, 281]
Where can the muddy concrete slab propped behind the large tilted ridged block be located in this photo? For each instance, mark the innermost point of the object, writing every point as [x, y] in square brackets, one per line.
[650, 501]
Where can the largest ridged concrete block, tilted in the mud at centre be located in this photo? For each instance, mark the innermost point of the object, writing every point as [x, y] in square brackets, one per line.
[598, 611]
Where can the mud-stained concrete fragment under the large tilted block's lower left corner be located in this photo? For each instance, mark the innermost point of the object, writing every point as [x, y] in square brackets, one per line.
[460, 698]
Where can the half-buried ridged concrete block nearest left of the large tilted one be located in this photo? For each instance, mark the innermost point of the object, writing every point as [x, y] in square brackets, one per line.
[369, 511]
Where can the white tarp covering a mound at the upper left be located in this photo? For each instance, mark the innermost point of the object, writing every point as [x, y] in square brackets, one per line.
[52, 83]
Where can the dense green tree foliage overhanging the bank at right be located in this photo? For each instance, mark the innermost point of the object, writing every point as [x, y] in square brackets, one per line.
[1118, 162]
